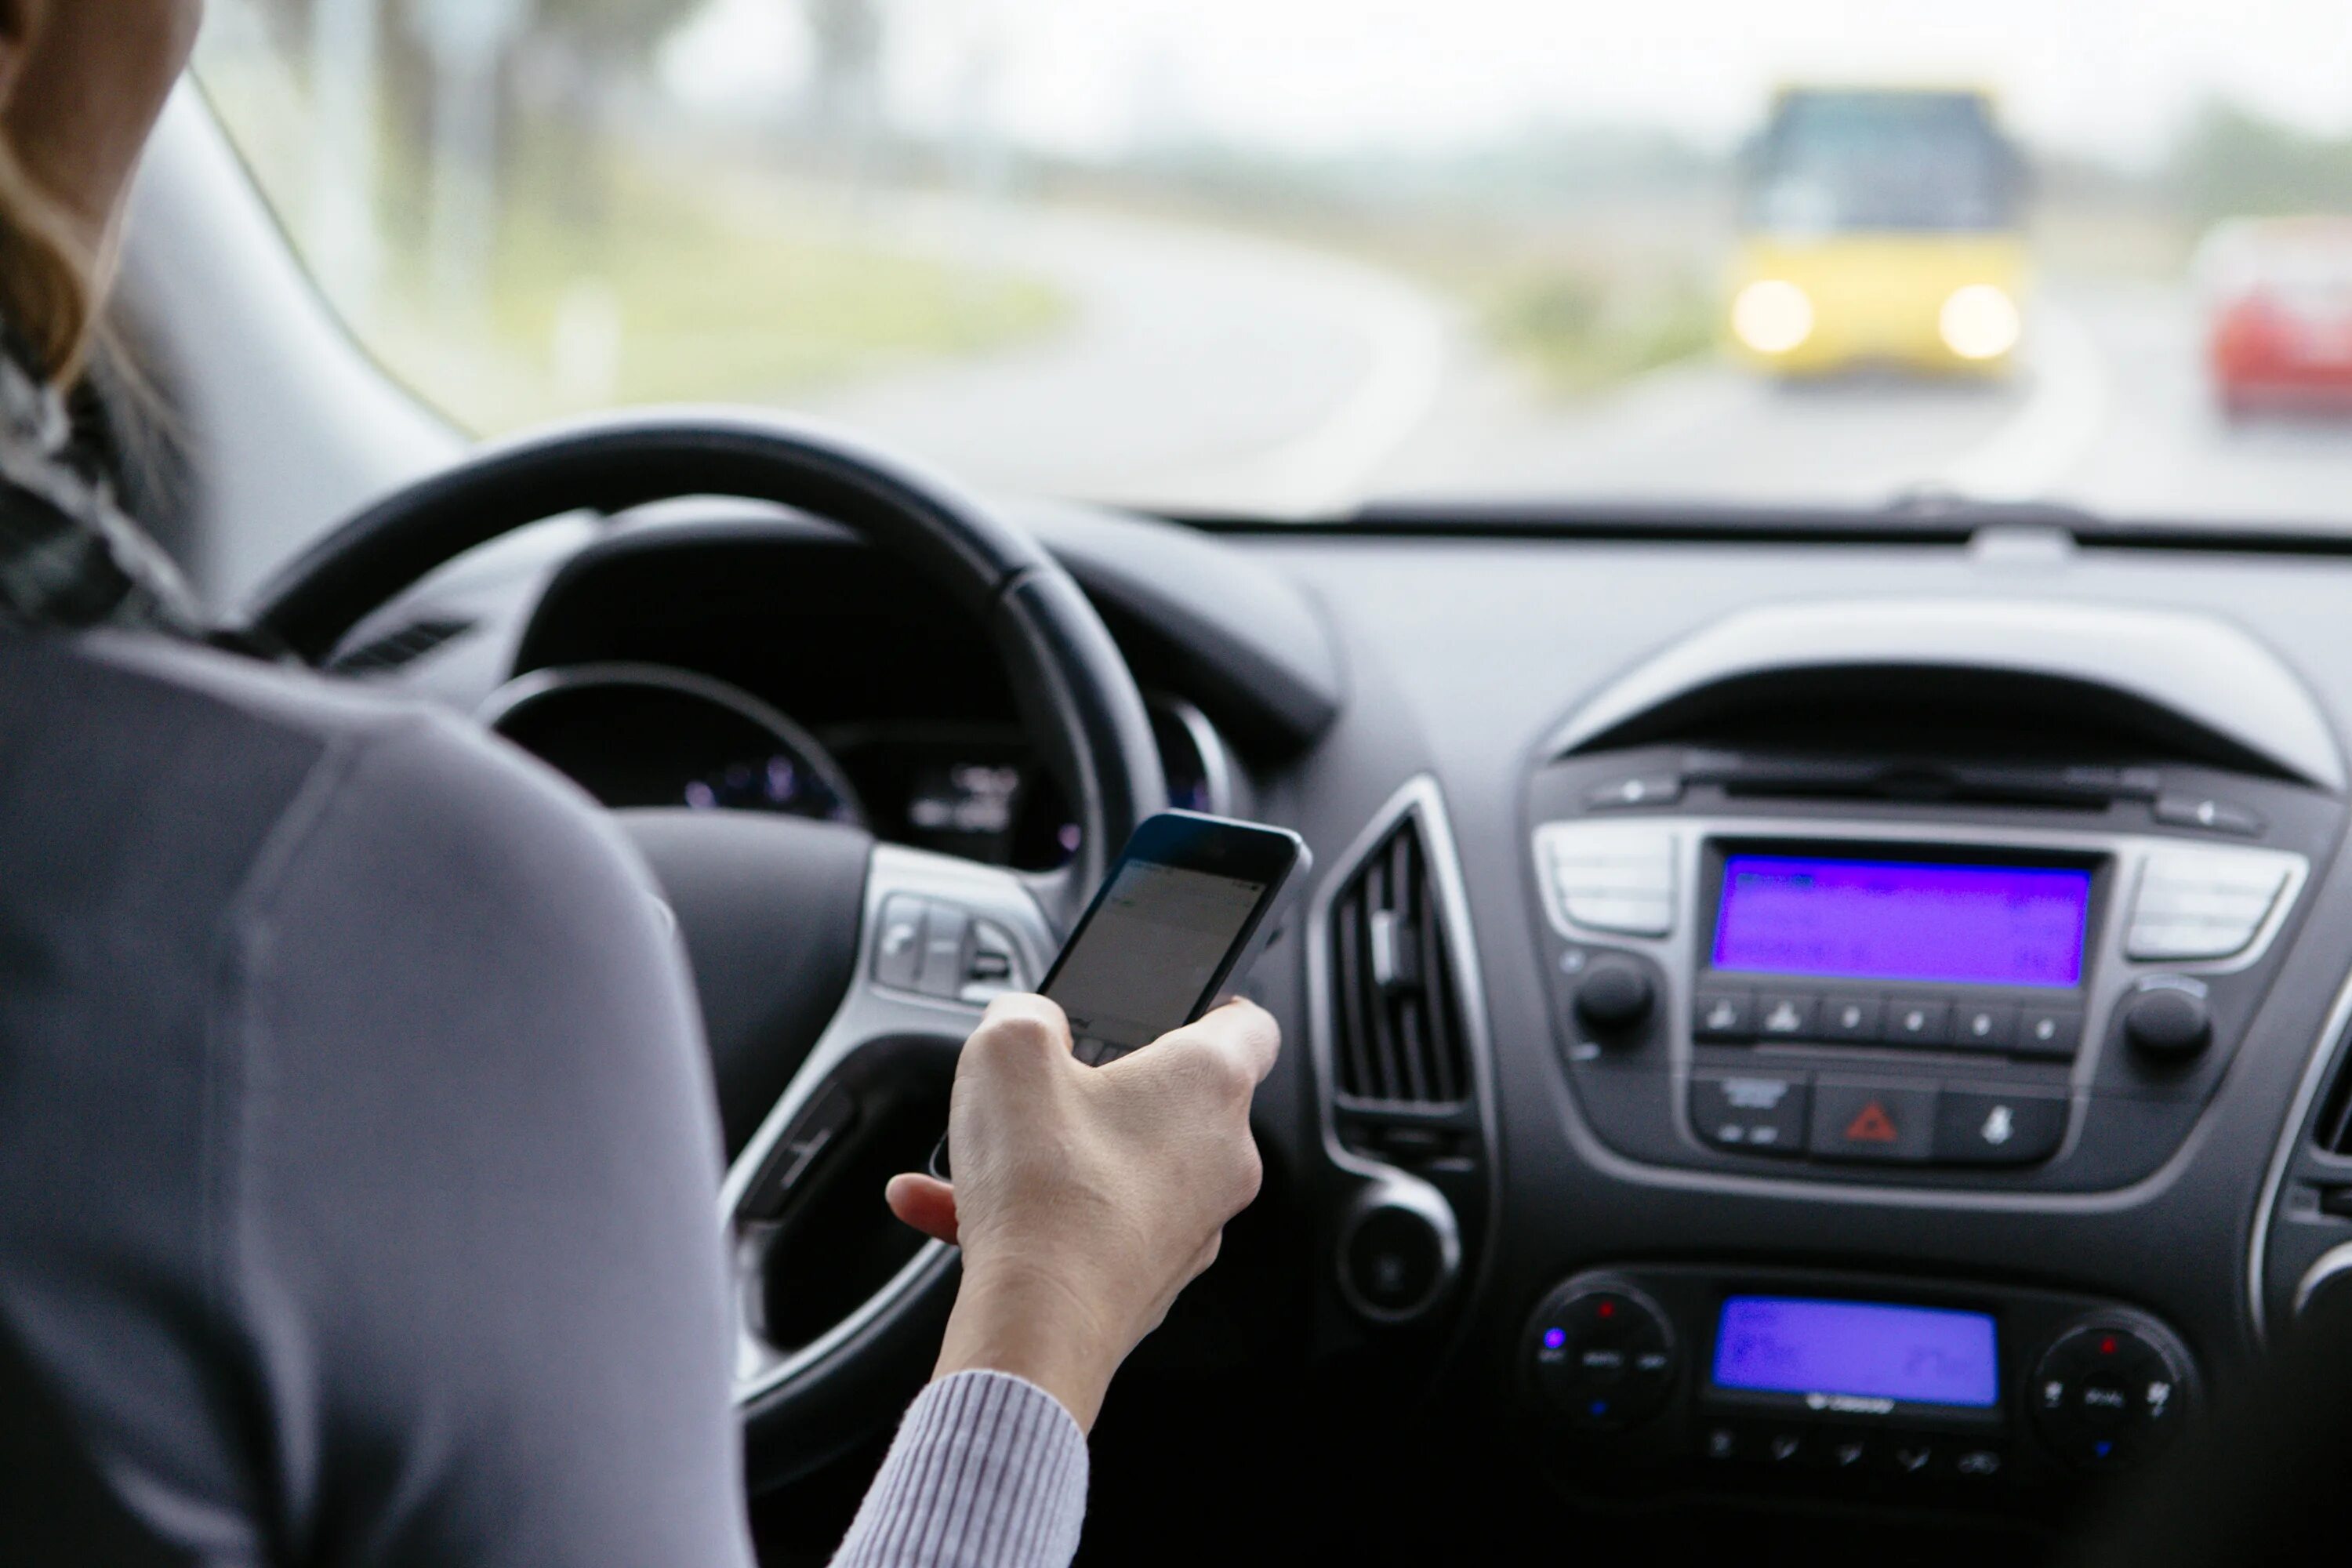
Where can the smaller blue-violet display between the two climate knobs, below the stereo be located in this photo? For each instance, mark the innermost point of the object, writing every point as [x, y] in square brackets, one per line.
[1857, 1351]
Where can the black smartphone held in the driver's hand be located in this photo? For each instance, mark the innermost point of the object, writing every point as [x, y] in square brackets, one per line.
[1189, 906]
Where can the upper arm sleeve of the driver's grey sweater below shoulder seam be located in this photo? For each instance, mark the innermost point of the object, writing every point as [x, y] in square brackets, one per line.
[467, 1209]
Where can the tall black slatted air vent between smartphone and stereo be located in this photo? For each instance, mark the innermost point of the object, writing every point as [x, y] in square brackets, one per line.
[1398, 1026]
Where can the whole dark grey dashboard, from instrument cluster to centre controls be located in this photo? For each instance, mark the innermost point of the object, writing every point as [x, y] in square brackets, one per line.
[1775, 1019]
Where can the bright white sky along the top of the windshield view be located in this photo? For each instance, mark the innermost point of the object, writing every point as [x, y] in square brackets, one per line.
[1100, 79]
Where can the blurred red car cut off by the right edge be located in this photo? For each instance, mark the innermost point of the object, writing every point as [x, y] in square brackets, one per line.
[2280, 330]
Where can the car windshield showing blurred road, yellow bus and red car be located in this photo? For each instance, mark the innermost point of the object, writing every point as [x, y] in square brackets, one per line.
[1288, 257]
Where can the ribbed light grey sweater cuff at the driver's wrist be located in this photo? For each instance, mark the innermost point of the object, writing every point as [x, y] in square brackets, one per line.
[989, 1473]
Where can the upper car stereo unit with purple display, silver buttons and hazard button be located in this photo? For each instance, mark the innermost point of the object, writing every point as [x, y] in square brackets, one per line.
[1899, 993]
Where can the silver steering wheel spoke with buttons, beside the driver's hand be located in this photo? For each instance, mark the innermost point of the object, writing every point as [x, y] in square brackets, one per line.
[937, 939]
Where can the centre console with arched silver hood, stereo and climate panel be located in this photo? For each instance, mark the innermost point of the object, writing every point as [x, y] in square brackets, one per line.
[1909, 977]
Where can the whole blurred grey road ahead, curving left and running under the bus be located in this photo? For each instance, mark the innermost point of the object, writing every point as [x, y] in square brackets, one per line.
[1224, 373]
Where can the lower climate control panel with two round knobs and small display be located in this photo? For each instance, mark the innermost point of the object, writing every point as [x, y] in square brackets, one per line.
[1852, 1376]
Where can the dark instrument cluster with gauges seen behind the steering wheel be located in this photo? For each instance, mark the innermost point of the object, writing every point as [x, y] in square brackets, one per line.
[926, 753]
